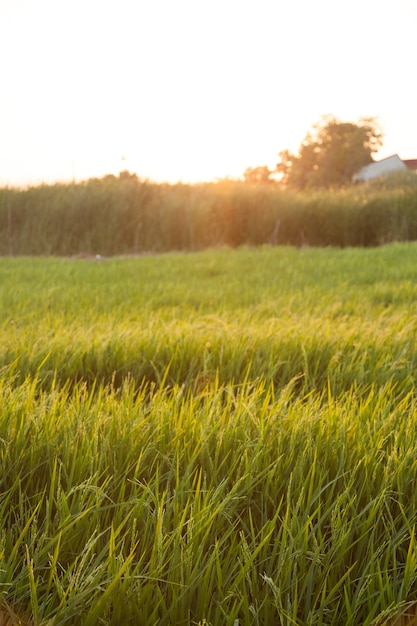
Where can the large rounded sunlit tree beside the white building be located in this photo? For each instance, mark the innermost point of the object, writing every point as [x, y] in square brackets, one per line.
[331, 153]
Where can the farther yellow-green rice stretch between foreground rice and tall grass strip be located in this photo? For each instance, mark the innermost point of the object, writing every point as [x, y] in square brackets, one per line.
[330, 319]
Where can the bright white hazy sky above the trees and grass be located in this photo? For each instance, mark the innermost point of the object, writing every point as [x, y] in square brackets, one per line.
[195, 90]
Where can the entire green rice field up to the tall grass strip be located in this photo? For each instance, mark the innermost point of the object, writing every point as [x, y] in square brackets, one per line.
[226, 437]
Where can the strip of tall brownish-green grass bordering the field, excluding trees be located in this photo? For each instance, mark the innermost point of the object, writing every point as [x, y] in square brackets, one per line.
[126, 215]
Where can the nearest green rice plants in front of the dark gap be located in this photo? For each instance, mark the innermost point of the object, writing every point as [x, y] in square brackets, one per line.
[239, 504]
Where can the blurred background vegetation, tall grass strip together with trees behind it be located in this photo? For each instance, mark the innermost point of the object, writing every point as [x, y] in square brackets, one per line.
[308, 200]
